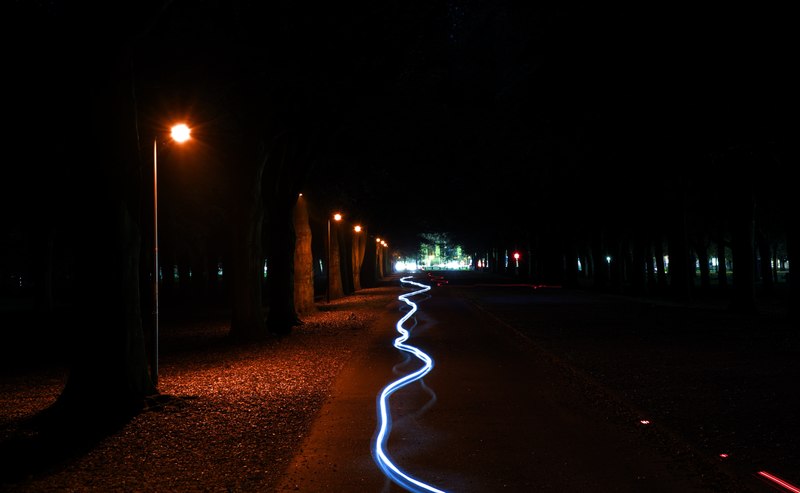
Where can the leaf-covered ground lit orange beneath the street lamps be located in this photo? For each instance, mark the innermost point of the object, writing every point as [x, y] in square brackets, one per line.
[235, 416]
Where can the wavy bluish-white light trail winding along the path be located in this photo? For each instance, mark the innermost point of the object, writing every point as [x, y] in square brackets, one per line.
[387, 466]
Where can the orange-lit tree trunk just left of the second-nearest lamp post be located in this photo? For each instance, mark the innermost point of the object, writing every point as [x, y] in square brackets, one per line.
[303, 261]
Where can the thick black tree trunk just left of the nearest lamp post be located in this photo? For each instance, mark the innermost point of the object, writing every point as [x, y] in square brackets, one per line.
[108, 376]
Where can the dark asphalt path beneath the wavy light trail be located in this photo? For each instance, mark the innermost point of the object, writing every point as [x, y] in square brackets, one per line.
[496, 413]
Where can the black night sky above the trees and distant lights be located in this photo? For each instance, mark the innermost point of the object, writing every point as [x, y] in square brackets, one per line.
[471, 117]
